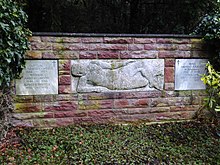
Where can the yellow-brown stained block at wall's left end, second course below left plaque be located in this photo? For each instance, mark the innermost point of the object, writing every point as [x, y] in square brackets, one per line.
[28, 107]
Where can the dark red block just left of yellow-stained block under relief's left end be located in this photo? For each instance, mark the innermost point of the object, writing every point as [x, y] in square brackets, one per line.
[61, 106]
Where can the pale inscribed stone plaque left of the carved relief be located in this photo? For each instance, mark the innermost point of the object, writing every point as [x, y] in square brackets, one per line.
[38, 78]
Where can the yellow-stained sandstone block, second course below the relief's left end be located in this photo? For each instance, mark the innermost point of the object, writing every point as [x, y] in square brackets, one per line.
[95, 104]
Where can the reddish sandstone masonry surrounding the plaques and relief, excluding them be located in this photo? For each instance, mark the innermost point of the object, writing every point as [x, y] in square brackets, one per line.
[67, 108]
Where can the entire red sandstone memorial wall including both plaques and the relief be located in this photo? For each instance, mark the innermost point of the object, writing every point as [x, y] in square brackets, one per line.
[109, 79]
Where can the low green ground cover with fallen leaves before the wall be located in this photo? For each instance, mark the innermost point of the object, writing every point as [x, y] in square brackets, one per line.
[171, 143]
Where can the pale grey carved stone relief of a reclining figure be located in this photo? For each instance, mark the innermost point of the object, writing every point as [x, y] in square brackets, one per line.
[117, 75]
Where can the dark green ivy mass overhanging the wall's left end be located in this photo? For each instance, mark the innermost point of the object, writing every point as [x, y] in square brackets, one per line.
[13, 41]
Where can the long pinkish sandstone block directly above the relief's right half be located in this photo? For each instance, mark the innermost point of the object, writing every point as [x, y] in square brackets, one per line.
[138, 54]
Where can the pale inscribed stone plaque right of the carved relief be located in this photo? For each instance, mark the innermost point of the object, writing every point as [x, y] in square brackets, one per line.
[188, 74]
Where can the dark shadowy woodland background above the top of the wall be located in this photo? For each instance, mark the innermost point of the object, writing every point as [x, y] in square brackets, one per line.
[117, 16]
